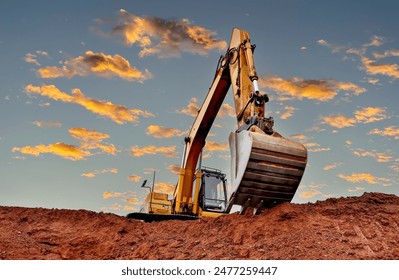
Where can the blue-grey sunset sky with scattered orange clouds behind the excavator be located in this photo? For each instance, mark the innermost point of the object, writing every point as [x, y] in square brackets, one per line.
[96, 96]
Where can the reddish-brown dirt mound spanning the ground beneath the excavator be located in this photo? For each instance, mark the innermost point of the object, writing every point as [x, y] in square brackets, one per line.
[364, 227]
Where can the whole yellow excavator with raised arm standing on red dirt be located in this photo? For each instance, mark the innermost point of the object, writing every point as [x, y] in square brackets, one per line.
[266, 168]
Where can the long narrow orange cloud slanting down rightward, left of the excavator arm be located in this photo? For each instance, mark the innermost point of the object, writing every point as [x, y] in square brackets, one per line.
[118, 113]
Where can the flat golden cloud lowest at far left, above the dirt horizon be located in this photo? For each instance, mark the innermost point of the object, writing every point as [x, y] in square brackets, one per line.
[66, 151]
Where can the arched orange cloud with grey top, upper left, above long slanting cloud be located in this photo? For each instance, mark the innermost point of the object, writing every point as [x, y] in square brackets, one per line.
[98, 64]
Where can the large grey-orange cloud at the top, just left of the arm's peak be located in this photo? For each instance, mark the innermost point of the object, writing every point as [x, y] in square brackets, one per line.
[164, 37]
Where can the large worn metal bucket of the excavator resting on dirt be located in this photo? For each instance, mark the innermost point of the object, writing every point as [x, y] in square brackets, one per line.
[266, 170]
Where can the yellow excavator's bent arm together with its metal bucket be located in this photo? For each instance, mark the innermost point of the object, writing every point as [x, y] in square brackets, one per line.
[266, 168]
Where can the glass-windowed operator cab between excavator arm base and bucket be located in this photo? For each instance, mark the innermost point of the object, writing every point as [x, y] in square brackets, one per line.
[212, 195]
